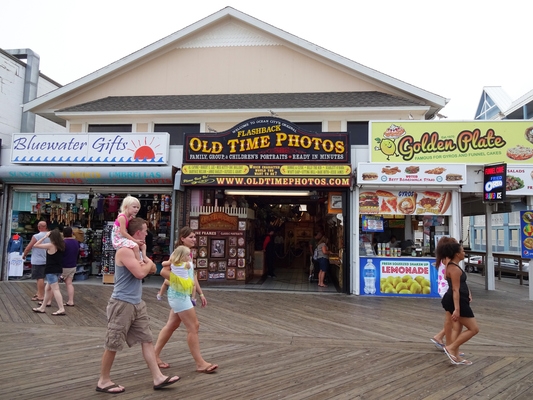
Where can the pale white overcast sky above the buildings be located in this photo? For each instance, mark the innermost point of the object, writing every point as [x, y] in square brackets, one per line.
[452, 48]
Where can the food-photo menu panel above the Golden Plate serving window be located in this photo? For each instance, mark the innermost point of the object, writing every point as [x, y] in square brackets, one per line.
[405, 202]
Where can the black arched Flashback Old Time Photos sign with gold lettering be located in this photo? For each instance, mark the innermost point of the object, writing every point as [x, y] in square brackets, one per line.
[267, 140]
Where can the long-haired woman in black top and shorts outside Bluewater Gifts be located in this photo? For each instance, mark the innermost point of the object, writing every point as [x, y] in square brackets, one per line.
[55, 250]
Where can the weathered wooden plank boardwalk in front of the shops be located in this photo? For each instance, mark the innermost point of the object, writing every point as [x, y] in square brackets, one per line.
[274, 345]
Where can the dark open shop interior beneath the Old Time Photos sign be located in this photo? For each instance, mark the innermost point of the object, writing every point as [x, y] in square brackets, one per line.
[295, 216]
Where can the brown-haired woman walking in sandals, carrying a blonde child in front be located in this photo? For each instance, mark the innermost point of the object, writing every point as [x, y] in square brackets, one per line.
[186, 237]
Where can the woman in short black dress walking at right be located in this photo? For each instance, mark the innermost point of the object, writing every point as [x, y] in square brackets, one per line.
[456, 303]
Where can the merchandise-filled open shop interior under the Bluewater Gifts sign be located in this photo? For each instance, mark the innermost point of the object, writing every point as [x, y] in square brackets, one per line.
[92, 214]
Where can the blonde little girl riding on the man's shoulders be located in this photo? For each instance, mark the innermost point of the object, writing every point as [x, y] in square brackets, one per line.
[119, 235]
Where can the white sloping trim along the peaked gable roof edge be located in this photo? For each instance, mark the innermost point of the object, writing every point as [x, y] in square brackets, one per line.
[435, 102]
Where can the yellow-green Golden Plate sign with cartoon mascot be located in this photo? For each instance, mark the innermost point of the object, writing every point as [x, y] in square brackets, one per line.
[461, 142]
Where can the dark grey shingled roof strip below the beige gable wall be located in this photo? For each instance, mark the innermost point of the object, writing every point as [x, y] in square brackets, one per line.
[242, 101]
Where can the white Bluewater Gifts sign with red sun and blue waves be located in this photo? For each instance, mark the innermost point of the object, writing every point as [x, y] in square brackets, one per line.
[90, 148]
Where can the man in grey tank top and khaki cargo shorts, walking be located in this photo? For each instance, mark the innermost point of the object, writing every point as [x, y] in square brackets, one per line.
[127, 319]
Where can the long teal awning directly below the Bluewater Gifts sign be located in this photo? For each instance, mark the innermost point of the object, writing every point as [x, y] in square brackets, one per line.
[89, 175]
